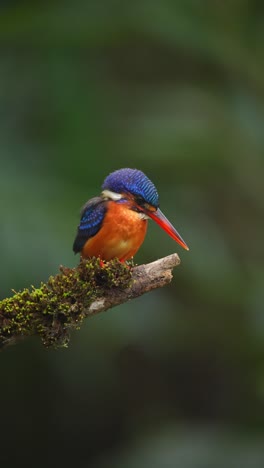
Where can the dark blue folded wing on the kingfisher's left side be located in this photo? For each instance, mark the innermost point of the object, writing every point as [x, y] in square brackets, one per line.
[92, 216]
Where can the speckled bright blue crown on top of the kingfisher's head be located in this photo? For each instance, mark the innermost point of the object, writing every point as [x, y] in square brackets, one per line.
[135, 182]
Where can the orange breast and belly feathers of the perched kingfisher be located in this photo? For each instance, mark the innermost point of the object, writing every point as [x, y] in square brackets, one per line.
[121, 234]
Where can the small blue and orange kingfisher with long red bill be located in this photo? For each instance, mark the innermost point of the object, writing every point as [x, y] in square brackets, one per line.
[114, 224]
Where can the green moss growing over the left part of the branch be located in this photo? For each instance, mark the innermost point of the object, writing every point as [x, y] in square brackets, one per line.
[58, 306]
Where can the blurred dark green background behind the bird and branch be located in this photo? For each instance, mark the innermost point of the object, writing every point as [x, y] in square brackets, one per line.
[176, 89]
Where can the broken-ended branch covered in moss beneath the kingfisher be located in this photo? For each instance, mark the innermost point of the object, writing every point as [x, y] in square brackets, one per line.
[60, 305]
